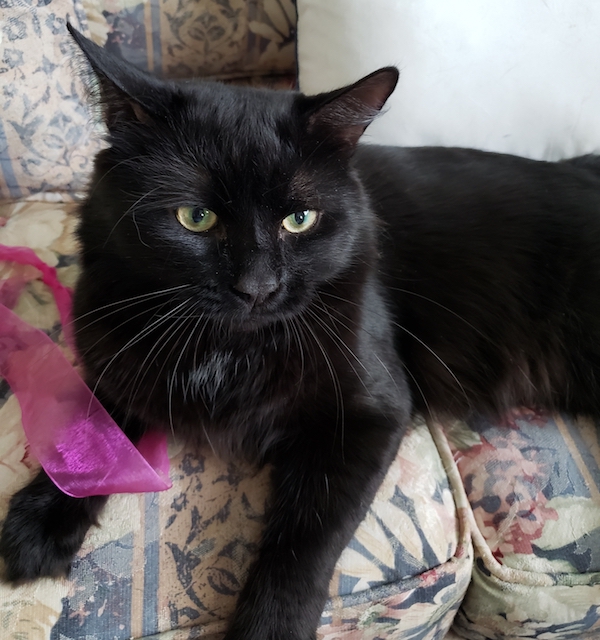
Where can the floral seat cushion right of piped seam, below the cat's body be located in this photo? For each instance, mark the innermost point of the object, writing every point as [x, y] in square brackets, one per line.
[533, 483]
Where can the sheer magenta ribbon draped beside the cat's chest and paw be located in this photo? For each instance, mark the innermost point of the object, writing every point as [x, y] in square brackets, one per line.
[81, 448]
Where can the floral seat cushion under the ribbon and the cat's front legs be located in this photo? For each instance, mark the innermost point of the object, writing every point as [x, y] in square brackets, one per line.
[170, 564]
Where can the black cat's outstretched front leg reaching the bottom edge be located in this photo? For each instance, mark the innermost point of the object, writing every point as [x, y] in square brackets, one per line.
[323, 482]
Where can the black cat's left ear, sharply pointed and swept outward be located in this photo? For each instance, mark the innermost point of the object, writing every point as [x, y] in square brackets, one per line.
[126, 93]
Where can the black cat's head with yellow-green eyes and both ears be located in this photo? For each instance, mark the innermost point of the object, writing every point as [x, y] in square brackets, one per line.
[246, 195]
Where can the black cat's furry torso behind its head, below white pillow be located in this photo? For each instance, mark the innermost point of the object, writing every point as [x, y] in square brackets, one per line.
[492, 264]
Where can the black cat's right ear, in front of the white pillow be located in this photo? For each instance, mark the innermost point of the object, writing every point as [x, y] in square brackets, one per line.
[344, 114]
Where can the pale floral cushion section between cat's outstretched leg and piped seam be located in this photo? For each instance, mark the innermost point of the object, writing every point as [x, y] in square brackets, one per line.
[416, 534]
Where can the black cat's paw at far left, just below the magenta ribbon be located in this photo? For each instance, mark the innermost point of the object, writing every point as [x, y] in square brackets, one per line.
[43, 530]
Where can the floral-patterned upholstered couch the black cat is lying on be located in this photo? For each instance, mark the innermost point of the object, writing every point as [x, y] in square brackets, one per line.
[480, 530]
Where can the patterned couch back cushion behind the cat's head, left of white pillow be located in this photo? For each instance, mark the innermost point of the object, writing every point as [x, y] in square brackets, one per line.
[47, 139]
